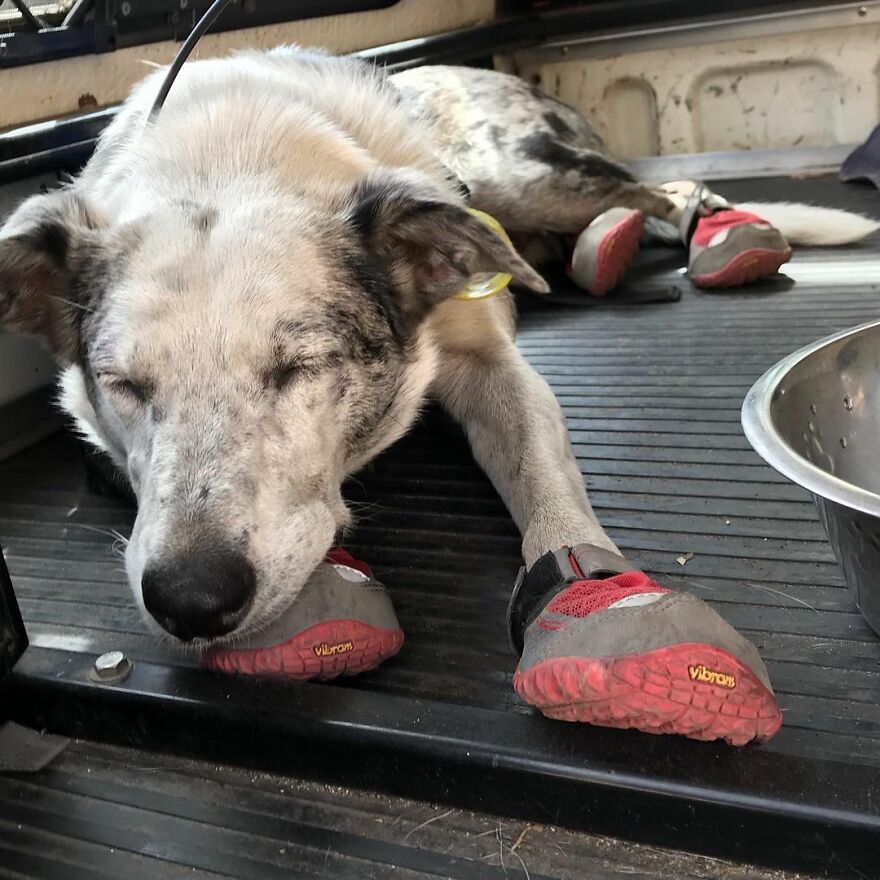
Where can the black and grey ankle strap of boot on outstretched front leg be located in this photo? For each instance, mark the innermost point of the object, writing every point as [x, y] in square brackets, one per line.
[552, 574]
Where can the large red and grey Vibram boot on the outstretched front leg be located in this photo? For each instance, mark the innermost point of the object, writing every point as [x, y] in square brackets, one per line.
[600, 642]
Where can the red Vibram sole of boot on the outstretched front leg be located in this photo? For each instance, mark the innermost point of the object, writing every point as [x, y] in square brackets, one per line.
[692, 689]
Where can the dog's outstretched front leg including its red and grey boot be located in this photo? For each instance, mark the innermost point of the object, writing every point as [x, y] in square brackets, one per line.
[599, 640]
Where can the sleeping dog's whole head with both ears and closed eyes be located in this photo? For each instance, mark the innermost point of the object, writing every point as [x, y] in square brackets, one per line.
[238, 360]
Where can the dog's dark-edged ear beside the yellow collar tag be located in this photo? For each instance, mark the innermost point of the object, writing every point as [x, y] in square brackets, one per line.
[429, 247]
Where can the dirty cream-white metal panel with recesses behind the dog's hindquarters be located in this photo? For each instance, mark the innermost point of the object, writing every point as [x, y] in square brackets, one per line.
[771, 82]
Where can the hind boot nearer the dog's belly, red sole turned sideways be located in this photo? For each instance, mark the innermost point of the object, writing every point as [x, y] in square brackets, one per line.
[605, 249]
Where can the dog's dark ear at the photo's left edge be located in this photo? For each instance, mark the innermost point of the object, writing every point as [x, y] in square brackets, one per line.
[44, 247]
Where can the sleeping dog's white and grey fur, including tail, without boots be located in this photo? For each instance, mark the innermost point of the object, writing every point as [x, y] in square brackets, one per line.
[251, 297]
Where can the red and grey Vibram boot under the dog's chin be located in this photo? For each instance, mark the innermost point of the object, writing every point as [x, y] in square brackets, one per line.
[341, 623]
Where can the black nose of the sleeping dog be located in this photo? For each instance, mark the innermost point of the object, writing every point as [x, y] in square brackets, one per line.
[206, 593]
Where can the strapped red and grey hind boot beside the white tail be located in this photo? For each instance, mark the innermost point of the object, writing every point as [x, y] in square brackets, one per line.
[726, 247]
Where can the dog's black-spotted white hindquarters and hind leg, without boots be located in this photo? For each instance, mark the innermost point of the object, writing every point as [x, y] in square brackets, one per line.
[530, 160]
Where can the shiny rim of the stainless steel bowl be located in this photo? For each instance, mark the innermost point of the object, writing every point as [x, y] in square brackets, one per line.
[761, 433]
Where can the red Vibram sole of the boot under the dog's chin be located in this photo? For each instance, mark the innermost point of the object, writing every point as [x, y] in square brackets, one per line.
[324, 651]
